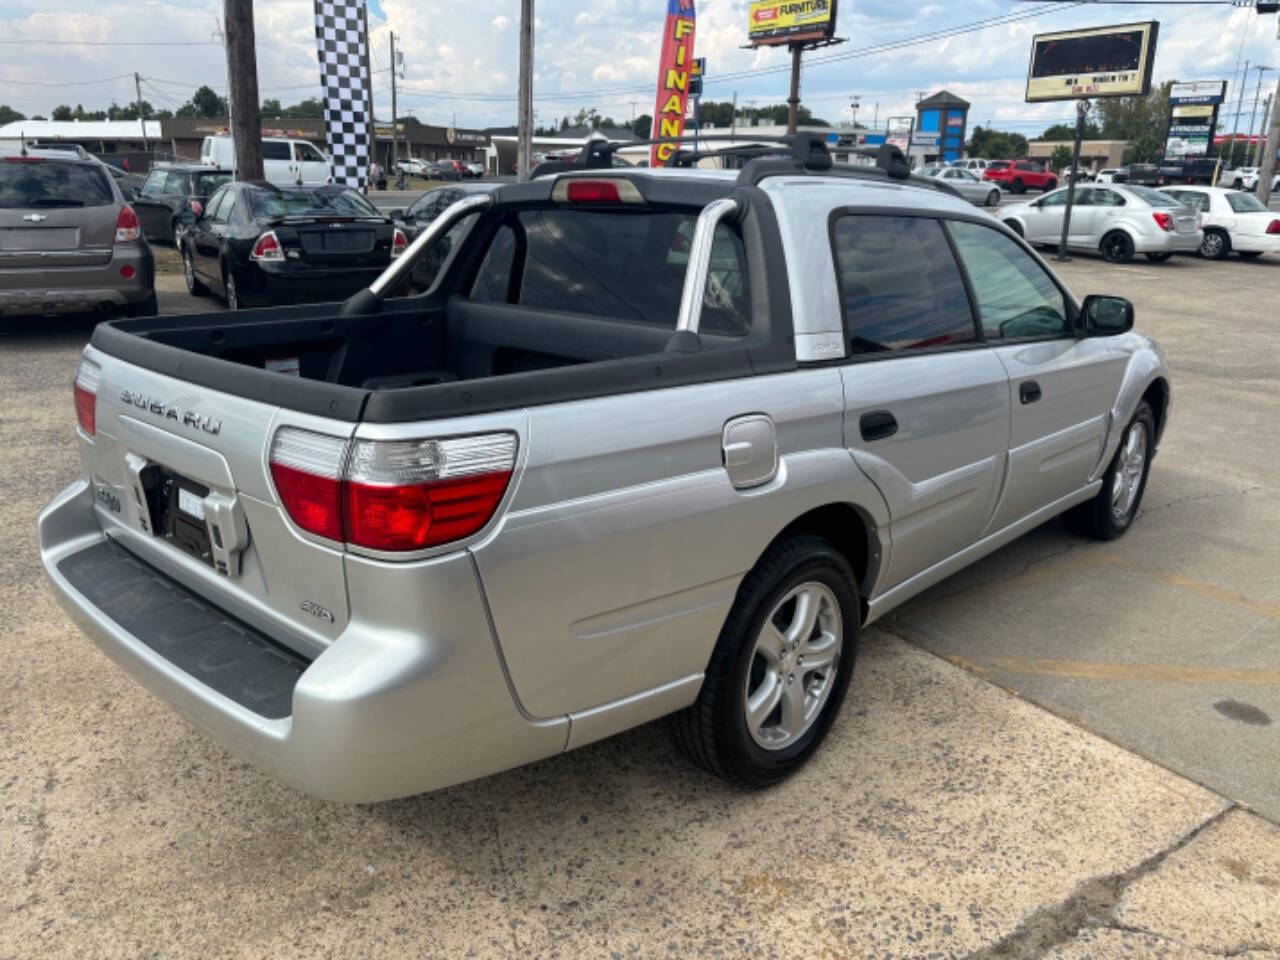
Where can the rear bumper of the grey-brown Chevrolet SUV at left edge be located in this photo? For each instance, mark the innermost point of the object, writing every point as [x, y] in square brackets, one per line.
[72, 290]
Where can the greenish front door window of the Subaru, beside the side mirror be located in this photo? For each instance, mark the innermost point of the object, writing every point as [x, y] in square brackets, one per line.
[1017, 299]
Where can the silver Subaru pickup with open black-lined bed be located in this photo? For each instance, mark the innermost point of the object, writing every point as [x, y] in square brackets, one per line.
[655, 442]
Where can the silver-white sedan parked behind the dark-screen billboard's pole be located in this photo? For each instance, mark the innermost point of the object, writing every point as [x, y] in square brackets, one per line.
[1117, 221]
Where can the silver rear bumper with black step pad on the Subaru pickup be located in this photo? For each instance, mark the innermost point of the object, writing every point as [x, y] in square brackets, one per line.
[410, 698]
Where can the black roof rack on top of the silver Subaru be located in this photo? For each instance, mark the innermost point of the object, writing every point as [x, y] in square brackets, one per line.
[769, 157]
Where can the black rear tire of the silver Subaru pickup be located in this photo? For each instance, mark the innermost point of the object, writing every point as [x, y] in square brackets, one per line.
[716, 733]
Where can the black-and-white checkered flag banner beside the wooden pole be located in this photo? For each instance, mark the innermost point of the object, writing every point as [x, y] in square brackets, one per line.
[342, 47]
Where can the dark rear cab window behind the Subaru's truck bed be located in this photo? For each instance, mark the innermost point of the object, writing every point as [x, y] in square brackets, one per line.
[620, 264]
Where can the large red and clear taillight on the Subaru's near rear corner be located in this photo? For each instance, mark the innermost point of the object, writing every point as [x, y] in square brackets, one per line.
[392, 496]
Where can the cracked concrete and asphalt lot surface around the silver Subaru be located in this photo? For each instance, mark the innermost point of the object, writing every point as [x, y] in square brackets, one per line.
[1067, 751]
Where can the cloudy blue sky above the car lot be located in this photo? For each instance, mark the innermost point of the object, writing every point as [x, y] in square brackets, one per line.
[461, 60]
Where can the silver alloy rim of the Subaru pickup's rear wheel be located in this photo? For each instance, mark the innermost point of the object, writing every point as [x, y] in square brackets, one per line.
[794, 666]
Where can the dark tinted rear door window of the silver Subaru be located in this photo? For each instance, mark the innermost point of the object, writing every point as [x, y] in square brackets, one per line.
[899, 285]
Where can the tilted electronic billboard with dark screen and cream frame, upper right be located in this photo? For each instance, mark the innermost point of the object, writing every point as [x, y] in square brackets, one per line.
[1100, 62]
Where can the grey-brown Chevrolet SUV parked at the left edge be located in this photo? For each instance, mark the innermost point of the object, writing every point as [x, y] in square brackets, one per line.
[68, 240]
